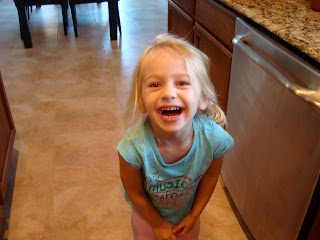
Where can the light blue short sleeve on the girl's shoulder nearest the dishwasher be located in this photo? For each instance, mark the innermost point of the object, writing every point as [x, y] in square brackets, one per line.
[223, 142]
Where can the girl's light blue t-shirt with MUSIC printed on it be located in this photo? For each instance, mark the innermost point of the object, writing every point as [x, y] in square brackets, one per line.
[172, 187]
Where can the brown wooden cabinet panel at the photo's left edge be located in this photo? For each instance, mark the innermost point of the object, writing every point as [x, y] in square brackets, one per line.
[7, 133]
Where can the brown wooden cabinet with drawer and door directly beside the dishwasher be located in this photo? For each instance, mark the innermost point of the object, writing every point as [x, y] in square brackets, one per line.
[214, 30]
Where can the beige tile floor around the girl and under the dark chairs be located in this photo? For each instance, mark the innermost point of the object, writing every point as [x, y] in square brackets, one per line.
[67, 95]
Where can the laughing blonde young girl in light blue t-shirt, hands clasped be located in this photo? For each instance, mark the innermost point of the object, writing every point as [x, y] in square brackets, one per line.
[171, 159]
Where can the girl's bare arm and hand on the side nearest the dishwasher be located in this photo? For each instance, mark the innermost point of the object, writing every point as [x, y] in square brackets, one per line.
[203, 195]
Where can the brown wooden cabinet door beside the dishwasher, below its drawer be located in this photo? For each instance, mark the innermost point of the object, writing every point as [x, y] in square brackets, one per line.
[221, 62]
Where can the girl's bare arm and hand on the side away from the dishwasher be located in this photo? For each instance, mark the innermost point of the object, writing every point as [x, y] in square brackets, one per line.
[132, 182]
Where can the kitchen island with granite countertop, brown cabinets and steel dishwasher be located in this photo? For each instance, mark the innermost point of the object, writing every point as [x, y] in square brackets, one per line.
[277, 191]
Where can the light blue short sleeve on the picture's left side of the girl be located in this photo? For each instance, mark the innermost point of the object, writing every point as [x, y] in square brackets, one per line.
[128, 151]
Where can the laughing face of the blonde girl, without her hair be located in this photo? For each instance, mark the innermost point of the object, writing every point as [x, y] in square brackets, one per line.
[170, 98]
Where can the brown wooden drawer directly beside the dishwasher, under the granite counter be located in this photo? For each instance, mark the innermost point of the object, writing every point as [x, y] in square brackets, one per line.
[218, 20]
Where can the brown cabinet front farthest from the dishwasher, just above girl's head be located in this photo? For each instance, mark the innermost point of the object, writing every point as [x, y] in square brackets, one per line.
[180, 23]
